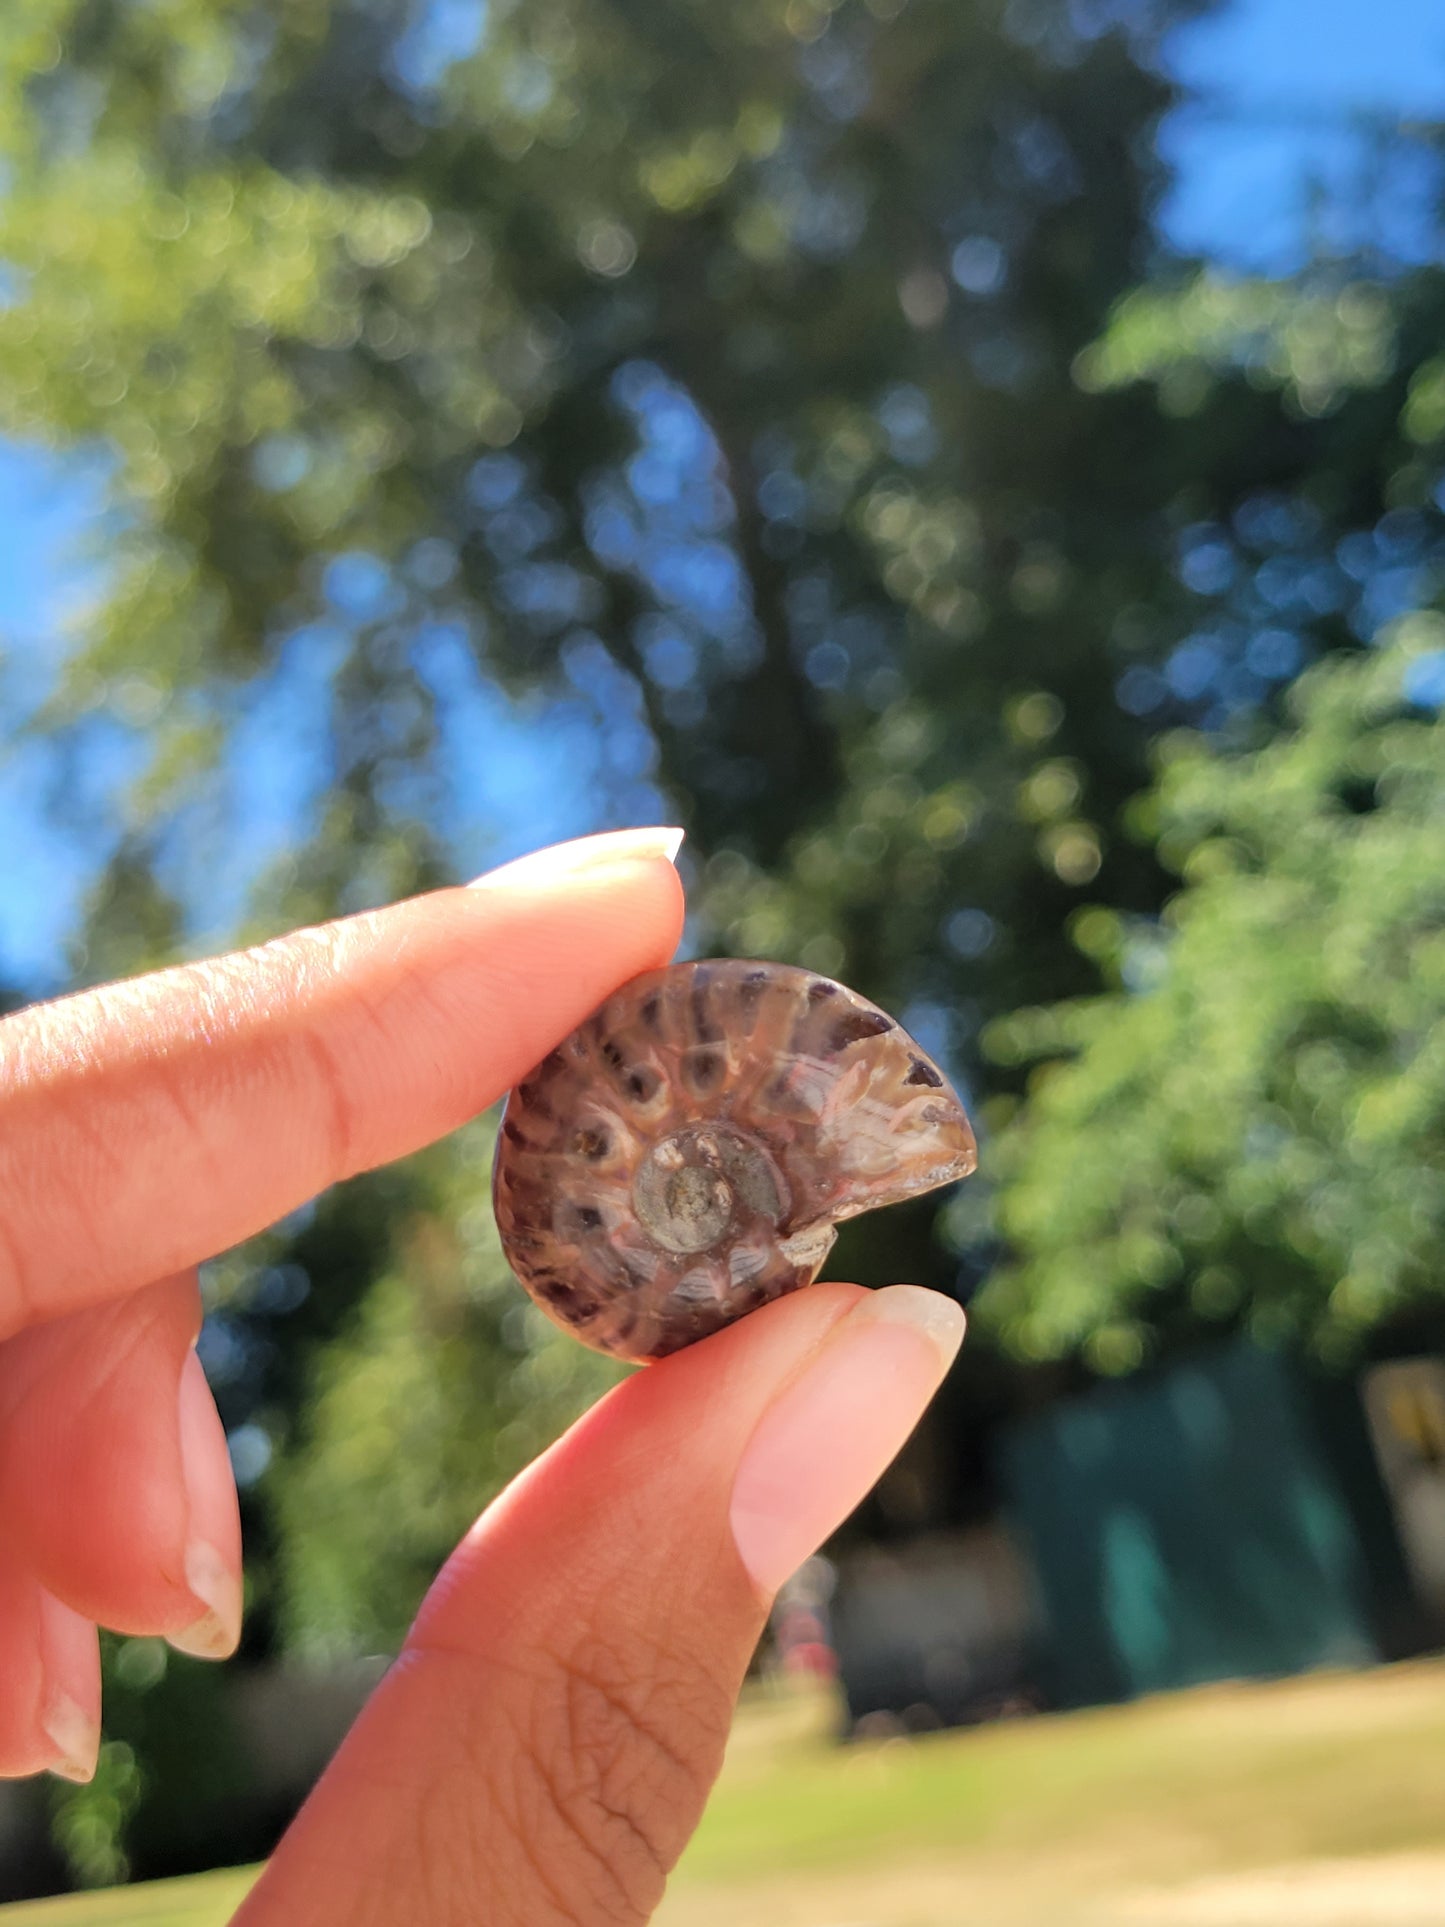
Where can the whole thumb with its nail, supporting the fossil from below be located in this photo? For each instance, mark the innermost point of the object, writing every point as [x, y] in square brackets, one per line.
[544, 1747]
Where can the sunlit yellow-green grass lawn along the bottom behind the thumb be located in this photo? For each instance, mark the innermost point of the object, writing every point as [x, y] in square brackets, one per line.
[1228, 1807]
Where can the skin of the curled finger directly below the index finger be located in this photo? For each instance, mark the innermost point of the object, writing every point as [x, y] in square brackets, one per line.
[93, 1494]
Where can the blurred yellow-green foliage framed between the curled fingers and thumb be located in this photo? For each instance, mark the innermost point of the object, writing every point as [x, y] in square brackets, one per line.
[442, 1386]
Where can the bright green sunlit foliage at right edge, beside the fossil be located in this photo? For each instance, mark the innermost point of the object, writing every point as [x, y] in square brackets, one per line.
[1255, 1130]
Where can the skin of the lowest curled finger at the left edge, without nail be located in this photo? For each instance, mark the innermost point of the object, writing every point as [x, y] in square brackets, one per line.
[45, 1649]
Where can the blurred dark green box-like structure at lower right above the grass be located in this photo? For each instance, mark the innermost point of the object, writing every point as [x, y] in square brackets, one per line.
[1215, 1521]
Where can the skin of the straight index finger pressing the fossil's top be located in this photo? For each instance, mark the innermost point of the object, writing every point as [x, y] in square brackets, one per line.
[151, 1124]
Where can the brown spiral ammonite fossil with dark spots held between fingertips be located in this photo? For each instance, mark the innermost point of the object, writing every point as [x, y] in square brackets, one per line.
[689, 1151]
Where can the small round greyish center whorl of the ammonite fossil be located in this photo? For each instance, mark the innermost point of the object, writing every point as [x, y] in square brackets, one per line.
[698, 1180]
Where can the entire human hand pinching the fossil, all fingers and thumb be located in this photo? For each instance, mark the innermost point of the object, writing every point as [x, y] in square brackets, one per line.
[544, 1745]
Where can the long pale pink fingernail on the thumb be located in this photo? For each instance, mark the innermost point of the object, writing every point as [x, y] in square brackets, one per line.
[835, 1431]
